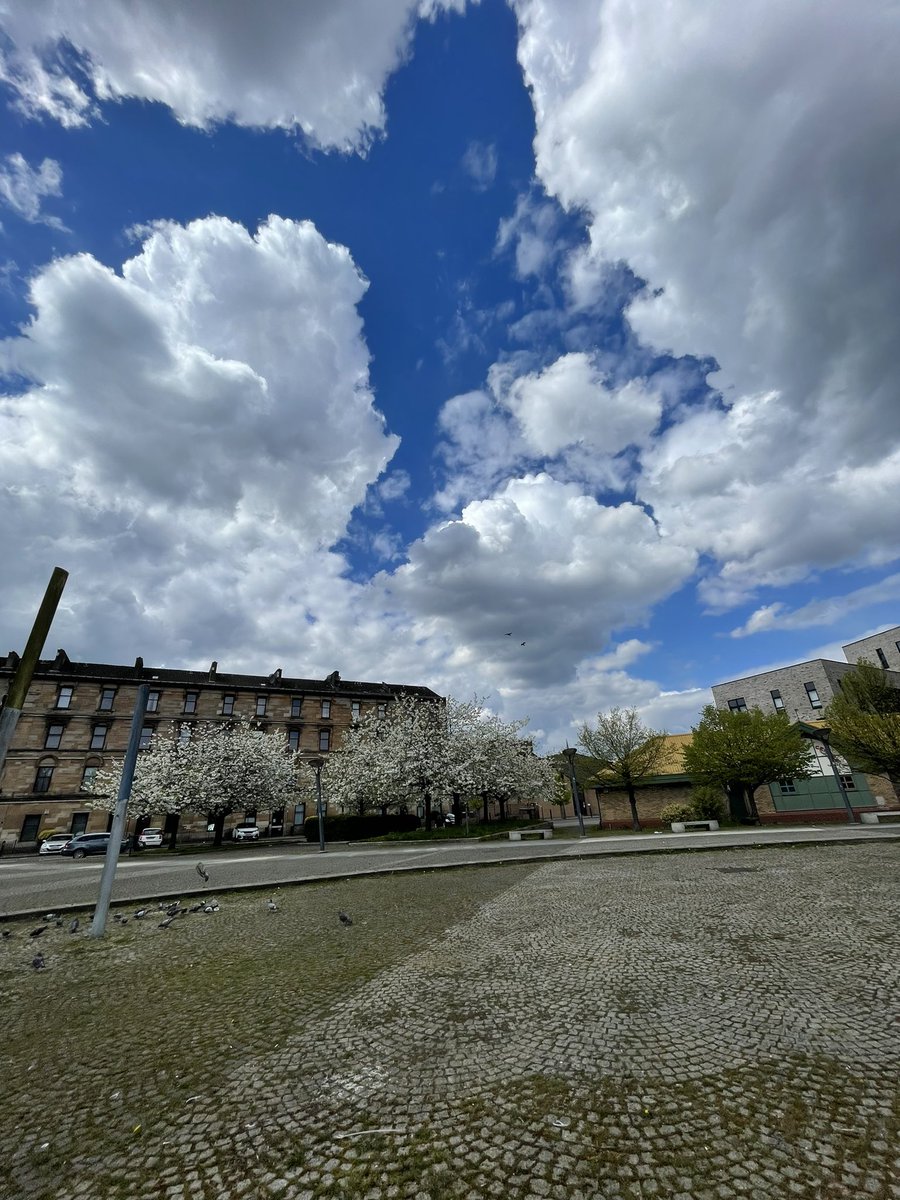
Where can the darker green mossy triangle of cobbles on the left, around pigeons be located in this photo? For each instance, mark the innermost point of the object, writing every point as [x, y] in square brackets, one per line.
[116, 1035]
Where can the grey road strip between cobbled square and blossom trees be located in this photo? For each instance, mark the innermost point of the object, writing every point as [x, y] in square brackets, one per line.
[33, 886]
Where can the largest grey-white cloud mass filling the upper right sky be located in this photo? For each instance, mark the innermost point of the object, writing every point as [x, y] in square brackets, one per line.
[740, 167]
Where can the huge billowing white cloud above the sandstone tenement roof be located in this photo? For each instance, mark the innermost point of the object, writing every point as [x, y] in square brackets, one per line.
[193, 429]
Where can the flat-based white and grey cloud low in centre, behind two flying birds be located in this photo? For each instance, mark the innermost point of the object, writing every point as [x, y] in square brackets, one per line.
[538, 562]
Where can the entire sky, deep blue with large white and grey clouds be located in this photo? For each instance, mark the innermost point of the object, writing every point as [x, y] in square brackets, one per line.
[386, 338]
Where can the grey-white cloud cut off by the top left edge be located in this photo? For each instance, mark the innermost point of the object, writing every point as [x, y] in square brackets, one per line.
[319, 69]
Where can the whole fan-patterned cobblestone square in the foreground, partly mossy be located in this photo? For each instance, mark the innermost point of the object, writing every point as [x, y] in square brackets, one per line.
[692, 1028]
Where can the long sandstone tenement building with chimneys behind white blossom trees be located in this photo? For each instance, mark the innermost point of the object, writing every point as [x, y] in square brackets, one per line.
[77, 717]
